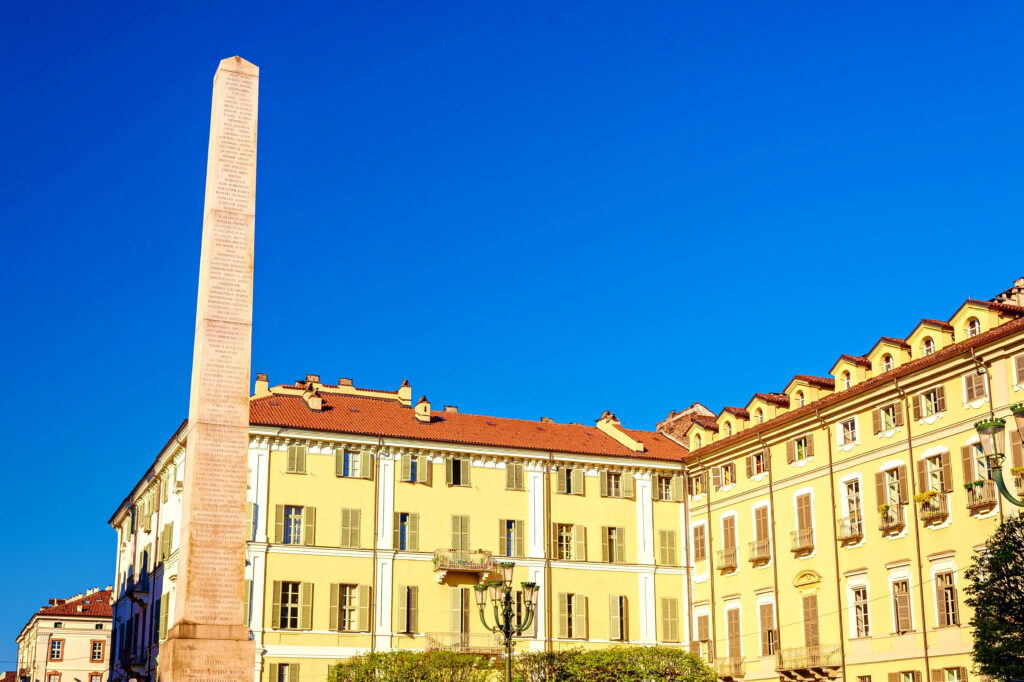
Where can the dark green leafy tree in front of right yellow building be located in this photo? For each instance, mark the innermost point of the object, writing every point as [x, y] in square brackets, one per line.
[996, 592]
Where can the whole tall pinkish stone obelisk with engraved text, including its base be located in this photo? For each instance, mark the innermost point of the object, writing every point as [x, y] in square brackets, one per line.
[208, 640]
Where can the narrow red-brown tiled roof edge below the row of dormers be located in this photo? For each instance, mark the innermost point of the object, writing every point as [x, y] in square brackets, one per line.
[904, 370]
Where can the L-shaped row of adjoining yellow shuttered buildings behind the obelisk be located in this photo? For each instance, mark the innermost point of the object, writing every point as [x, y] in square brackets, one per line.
[818, 533]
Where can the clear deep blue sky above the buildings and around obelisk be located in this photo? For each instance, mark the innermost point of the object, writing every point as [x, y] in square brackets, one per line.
[526, 211]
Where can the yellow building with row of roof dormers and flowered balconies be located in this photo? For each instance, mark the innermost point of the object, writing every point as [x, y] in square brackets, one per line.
[831, 524]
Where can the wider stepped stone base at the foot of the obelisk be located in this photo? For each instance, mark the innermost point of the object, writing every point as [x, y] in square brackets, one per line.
[201, 654]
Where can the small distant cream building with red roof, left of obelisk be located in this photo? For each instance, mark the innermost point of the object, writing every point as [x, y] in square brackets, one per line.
[68, 642]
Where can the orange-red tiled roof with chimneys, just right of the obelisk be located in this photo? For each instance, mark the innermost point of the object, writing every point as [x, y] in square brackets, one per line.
[380, 417]
